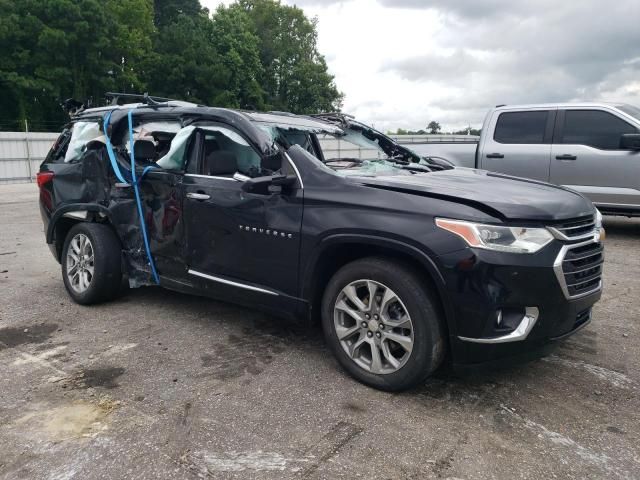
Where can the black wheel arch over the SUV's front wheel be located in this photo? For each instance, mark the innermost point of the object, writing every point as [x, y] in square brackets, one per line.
[337, 250]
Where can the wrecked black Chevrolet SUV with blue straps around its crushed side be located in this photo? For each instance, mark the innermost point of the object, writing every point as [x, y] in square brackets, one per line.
[405, 260]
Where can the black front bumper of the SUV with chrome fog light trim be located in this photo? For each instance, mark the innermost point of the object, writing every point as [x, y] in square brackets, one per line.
[510, 305]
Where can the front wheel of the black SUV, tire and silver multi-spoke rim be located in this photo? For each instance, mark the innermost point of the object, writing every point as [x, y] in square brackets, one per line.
[399, 290]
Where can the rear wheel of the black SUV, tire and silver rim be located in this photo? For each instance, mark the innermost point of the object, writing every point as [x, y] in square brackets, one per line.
[97, 281]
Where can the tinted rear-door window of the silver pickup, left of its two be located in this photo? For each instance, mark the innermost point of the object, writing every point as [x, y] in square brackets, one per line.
[521, 127]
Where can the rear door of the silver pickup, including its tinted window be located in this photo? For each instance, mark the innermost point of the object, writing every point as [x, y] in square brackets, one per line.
[518, 143]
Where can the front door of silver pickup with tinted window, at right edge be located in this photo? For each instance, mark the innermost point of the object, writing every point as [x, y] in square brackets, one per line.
[586, 156]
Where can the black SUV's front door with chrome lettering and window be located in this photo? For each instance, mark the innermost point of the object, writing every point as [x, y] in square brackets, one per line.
[239, 244]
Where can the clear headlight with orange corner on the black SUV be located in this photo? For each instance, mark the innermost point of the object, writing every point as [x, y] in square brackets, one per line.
[493, 237]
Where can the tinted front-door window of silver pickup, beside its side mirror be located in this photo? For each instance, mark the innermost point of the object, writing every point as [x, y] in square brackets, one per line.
[594, 128]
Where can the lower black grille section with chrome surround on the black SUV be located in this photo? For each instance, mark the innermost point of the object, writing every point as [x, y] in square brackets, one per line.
[579, 268]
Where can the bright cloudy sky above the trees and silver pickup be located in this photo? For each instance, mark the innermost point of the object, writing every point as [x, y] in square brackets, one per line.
[404, 63]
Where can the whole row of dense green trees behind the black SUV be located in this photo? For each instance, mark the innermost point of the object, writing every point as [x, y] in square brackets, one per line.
[254, 53]
